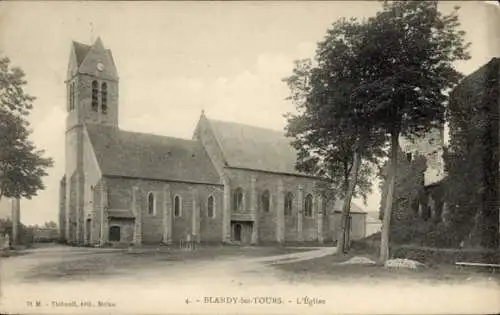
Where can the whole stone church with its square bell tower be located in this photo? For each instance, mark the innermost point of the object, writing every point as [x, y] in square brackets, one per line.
[230, 183]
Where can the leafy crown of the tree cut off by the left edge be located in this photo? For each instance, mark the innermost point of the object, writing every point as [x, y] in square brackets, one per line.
[22, 166]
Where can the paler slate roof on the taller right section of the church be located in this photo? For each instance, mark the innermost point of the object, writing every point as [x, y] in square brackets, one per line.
[256, 148]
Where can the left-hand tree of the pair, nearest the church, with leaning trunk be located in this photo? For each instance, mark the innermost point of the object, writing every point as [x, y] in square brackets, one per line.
[332, 132]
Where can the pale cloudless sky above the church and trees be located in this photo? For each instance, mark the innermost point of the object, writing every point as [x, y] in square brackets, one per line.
[175, 59]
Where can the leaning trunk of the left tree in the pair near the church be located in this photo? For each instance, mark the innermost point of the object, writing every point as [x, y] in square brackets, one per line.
[344, 217]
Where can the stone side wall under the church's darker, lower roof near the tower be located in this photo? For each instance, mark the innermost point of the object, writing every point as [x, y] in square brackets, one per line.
[207, 230]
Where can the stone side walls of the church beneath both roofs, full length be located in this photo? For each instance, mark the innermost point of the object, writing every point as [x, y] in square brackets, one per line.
[320, 227]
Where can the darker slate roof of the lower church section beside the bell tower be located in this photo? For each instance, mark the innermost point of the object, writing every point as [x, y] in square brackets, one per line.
[140, 155]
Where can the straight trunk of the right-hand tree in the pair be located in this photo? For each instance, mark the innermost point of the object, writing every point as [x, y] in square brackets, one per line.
[384, 241]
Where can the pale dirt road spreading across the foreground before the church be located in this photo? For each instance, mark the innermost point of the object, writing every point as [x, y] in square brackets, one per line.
[226, 285]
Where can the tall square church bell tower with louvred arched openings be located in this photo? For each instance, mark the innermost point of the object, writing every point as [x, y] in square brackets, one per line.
[92, 98]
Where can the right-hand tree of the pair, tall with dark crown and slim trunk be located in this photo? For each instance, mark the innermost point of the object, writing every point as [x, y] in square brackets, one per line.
[407, 60]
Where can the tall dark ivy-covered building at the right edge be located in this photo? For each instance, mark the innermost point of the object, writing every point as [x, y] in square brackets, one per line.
[475, 138]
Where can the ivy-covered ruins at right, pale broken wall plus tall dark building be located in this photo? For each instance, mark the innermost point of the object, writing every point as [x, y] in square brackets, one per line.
[474, 138]
